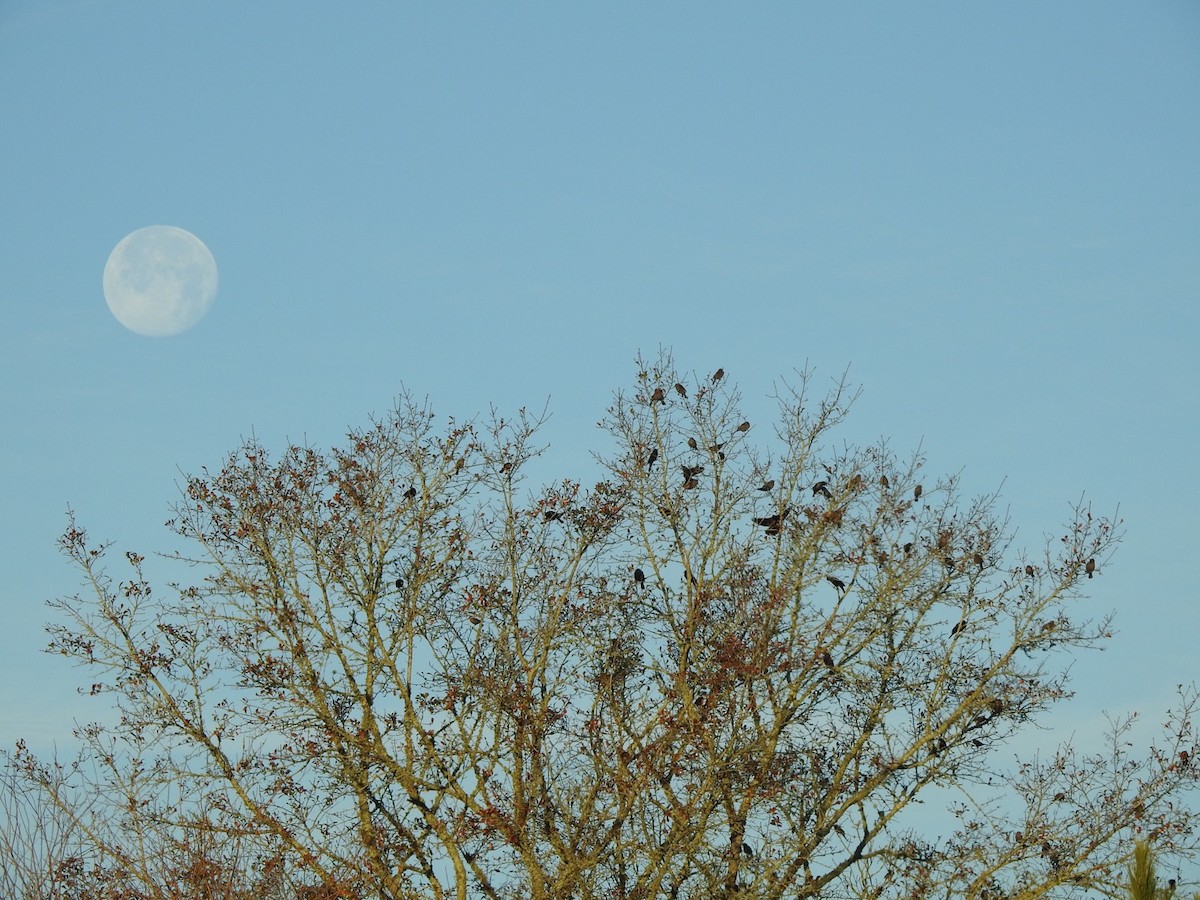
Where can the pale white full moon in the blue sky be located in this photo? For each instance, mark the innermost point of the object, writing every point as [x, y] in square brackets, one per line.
[160, 281]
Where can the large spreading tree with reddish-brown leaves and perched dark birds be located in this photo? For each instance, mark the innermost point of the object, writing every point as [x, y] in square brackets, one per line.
[730, 668]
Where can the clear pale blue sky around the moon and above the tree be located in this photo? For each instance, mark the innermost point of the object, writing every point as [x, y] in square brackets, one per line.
[989, 213]
